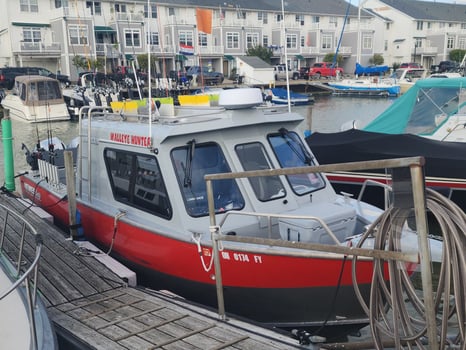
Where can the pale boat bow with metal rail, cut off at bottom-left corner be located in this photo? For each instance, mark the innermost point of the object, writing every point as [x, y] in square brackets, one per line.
[24, 323]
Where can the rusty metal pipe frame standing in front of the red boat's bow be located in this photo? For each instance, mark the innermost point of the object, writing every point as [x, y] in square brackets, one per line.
[414, 164]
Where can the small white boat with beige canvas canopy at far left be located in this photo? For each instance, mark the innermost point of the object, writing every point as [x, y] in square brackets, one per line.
[35, 99]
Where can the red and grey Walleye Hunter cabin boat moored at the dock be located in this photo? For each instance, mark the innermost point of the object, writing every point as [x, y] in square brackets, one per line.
[143, 196]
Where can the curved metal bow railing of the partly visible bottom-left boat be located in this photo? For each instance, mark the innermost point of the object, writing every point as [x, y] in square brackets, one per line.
[22, 275]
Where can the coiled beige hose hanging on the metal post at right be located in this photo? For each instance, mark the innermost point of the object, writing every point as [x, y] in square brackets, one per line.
[396, 309]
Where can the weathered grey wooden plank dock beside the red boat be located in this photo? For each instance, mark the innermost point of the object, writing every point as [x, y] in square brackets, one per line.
[93, 308]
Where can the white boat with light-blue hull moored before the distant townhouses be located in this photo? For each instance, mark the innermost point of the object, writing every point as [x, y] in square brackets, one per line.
[370, 86]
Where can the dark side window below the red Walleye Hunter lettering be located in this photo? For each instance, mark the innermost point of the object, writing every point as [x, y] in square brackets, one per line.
[136, 180]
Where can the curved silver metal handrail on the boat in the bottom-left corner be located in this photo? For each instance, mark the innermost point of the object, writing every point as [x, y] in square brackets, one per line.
[30, 276]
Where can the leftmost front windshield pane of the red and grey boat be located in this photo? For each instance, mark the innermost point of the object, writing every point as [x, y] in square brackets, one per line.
[194, 161]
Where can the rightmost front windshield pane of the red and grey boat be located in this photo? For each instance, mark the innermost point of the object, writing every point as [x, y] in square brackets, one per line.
[291, 152]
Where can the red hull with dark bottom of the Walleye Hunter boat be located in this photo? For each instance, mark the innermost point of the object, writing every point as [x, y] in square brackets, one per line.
[271, 285]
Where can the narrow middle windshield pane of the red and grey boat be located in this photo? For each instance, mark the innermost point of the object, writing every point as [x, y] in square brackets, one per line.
[254, 157]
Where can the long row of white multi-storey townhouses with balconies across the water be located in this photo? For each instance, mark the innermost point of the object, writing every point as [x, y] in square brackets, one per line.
[56, 34]
